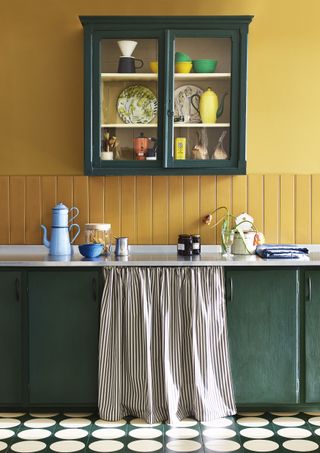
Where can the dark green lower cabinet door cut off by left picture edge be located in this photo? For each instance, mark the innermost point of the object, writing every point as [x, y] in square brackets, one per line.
[11, 369]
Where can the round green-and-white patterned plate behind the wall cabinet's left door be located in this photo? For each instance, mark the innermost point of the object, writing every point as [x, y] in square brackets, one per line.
[137, 104]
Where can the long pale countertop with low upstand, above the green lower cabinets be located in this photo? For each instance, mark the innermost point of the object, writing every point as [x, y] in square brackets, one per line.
[143, 255]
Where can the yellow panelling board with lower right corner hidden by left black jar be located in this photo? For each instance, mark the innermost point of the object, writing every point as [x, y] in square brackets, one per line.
[175, 211]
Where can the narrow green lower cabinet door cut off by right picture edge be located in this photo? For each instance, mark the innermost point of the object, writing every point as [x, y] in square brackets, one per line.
[312, 336]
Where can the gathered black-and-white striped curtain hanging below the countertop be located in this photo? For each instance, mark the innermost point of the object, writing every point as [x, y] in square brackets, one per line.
[163, 344]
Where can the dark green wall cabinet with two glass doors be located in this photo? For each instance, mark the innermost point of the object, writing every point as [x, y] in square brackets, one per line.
[148, 109]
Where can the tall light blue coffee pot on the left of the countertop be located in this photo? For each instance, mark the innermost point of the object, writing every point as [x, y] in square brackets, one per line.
[60, 240]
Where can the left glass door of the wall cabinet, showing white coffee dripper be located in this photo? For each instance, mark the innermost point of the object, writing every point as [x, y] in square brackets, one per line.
[126, 103]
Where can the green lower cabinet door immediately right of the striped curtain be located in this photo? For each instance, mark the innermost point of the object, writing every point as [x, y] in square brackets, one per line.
[262, 307]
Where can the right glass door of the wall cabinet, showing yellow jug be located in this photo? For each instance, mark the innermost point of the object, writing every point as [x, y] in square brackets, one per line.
[202, 125]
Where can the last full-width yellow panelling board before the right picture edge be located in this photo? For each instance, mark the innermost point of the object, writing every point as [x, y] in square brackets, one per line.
[303, 209]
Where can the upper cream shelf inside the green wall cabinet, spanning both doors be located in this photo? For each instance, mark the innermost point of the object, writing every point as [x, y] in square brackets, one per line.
[127, 77]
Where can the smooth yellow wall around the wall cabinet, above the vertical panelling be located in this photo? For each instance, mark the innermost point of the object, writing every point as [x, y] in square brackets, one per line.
[41, 80]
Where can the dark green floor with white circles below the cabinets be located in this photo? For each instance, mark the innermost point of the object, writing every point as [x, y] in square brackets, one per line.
[80, 432]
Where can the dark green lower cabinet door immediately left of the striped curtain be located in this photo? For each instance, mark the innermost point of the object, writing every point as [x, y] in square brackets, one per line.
[63, 337]
